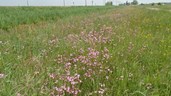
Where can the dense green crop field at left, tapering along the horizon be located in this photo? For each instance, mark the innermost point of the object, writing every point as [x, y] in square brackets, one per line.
[14, 16]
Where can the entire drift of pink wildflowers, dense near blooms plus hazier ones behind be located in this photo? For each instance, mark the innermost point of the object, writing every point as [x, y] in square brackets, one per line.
[82, 65]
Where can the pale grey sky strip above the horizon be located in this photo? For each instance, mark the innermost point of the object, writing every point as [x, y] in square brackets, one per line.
[67, 2]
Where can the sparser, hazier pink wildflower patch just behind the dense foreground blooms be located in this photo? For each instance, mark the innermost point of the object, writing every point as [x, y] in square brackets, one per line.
[93, 37]
